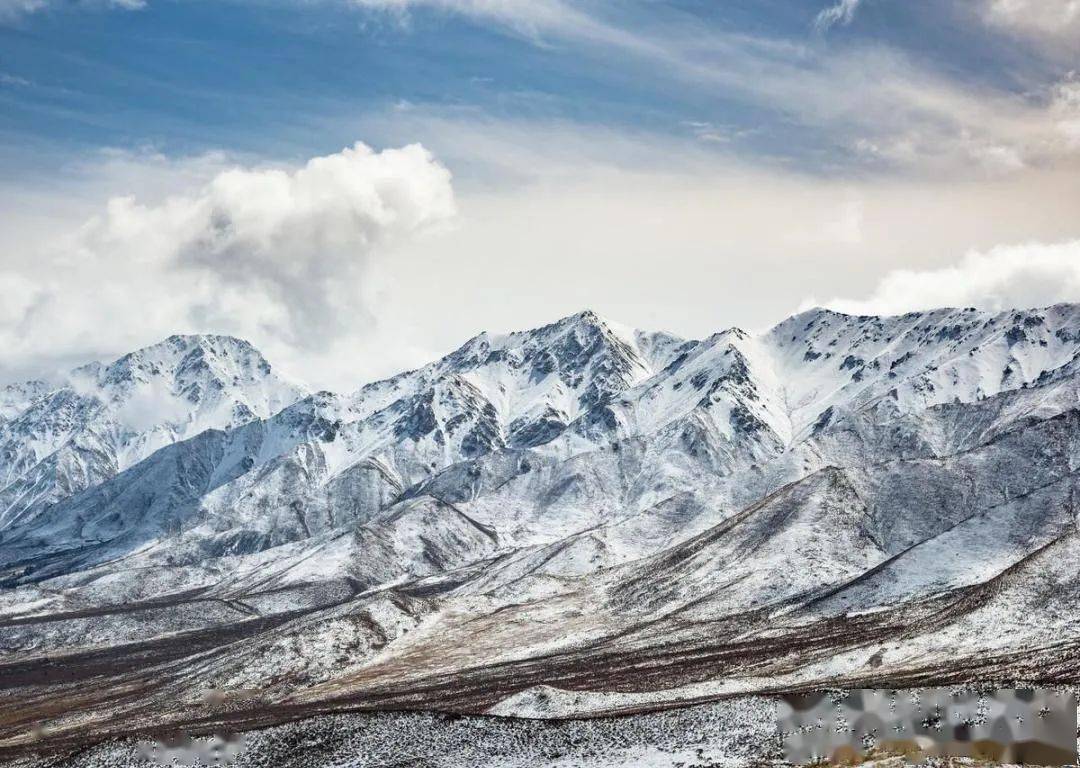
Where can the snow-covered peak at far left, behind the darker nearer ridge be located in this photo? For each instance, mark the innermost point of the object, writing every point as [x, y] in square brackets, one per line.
[57, 442]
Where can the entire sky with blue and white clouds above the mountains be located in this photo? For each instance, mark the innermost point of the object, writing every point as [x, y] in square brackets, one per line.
[359, 186]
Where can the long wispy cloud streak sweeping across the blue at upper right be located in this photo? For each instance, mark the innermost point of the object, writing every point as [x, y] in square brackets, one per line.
[889, 110]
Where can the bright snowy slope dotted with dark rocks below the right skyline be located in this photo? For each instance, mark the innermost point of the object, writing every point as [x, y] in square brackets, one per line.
[921, 359]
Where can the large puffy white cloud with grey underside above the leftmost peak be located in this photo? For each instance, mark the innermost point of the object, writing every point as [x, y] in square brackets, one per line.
[280, 257]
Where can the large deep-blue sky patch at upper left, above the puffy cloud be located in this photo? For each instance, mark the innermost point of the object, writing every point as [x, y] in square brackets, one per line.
[195, 76]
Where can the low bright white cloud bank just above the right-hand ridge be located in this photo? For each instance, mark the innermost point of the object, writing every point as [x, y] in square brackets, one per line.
[1034, 275]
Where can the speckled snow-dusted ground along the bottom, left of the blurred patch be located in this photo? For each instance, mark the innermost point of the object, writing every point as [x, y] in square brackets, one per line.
[732, 735]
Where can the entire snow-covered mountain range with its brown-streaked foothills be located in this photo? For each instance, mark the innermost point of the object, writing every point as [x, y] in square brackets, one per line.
[579, 506]
